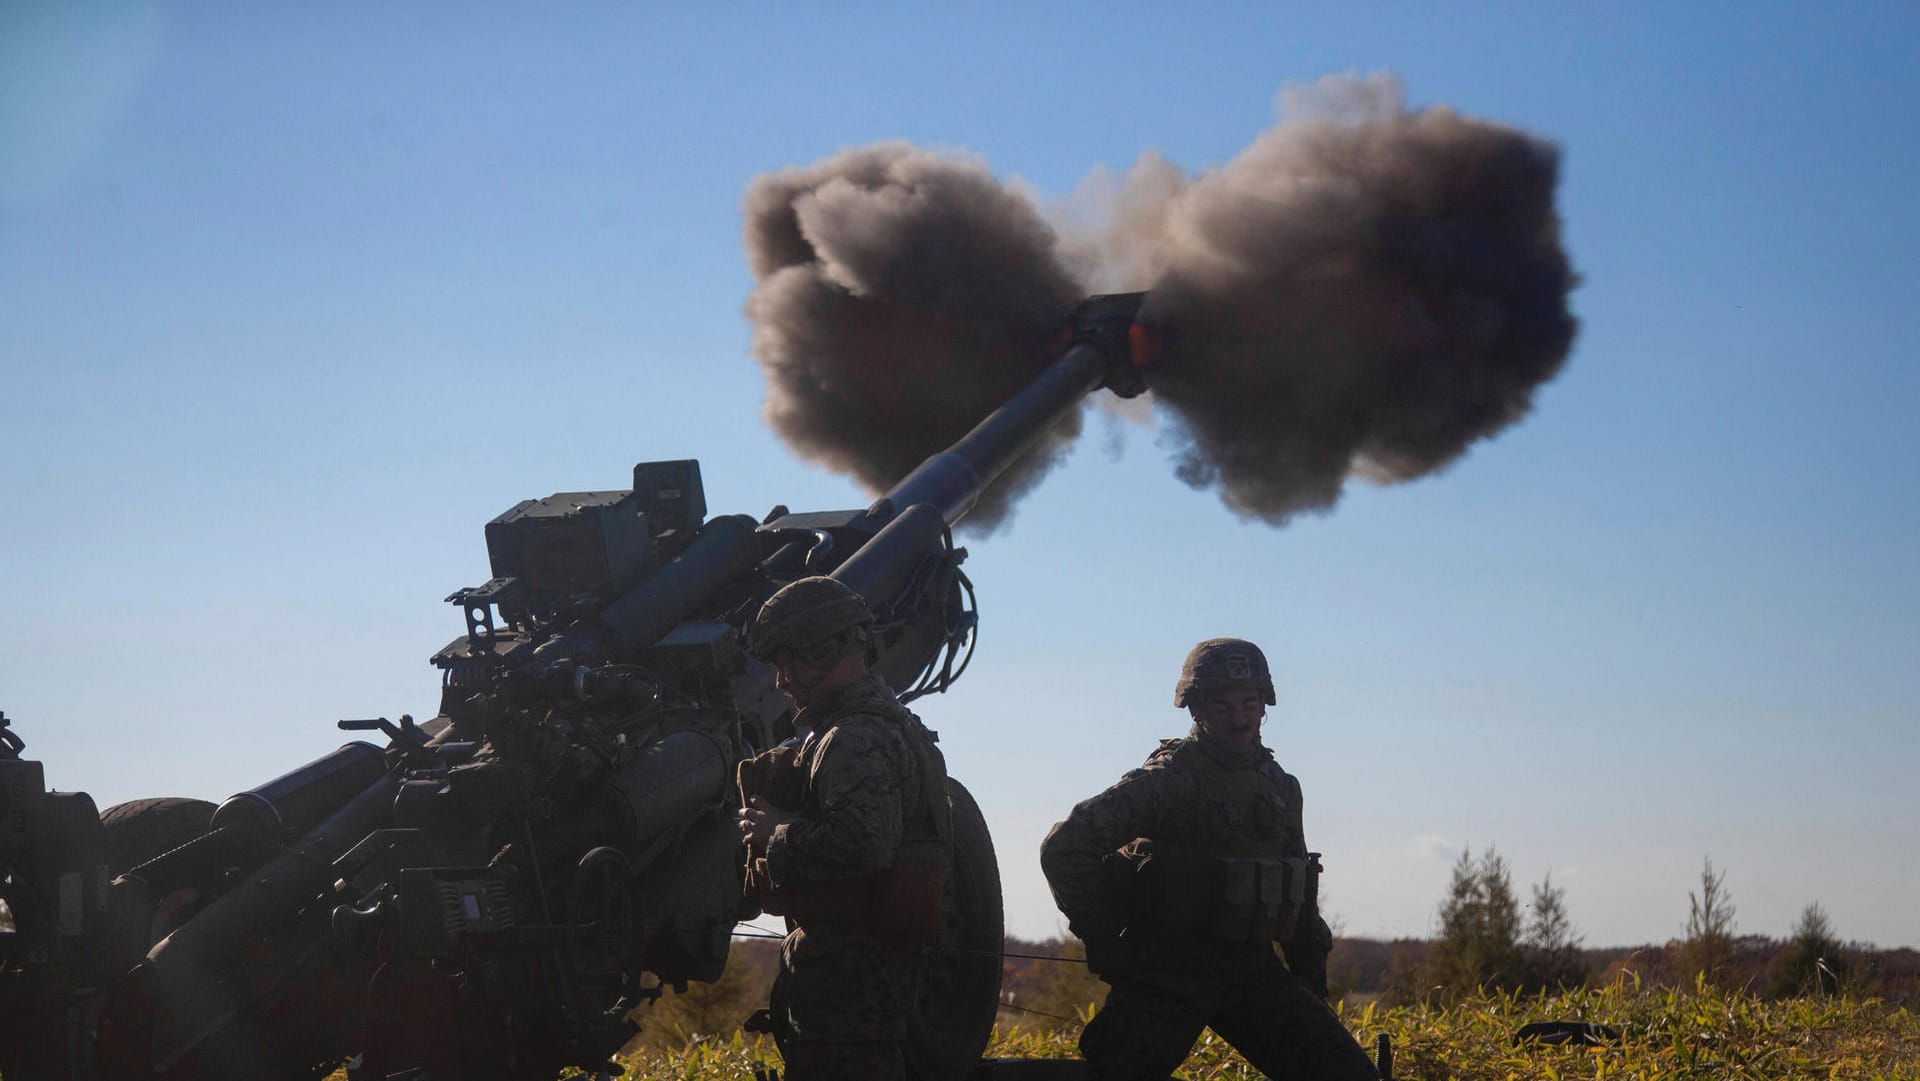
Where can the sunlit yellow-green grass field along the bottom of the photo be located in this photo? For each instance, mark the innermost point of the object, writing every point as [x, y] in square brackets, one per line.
[1702, 1034]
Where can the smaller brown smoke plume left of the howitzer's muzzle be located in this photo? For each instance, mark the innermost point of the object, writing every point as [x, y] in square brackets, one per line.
[901, 299]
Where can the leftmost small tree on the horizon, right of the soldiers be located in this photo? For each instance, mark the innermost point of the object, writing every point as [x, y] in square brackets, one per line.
[1479, 928]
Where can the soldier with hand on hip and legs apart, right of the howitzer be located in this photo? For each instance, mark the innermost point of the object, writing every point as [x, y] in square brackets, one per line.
[1184, 877]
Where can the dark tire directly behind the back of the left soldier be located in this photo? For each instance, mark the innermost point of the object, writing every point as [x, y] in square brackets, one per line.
[957, 984]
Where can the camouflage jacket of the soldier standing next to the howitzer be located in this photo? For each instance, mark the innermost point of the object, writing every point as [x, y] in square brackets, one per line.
[861, 786]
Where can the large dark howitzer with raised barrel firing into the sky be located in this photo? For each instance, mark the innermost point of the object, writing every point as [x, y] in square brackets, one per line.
[489, 894]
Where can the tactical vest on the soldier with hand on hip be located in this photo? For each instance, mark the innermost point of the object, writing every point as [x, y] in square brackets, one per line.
[1232, 867]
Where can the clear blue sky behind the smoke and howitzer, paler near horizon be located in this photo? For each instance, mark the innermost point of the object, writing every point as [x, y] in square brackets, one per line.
[295, 299]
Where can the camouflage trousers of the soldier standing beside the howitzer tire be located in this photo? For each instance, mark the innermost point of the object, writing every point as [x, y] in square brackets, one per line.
[838, 1001]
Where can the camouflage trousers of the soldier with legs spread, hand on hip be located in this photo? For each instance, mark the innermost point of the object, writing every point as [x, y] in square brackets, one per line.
[1268, 1015]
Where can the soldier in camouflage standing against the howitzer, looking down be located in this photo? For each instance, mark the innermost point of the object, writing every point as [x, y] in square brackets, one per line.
[828, 819]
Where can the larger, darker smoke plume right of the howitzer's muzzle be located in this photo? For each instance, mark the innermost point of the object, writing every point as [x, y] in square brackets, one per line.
[1360, 291]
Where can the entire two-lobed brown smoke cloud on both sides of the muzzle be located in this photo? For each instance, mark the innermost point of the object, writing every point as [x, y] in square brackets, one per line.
[1364, 291]
